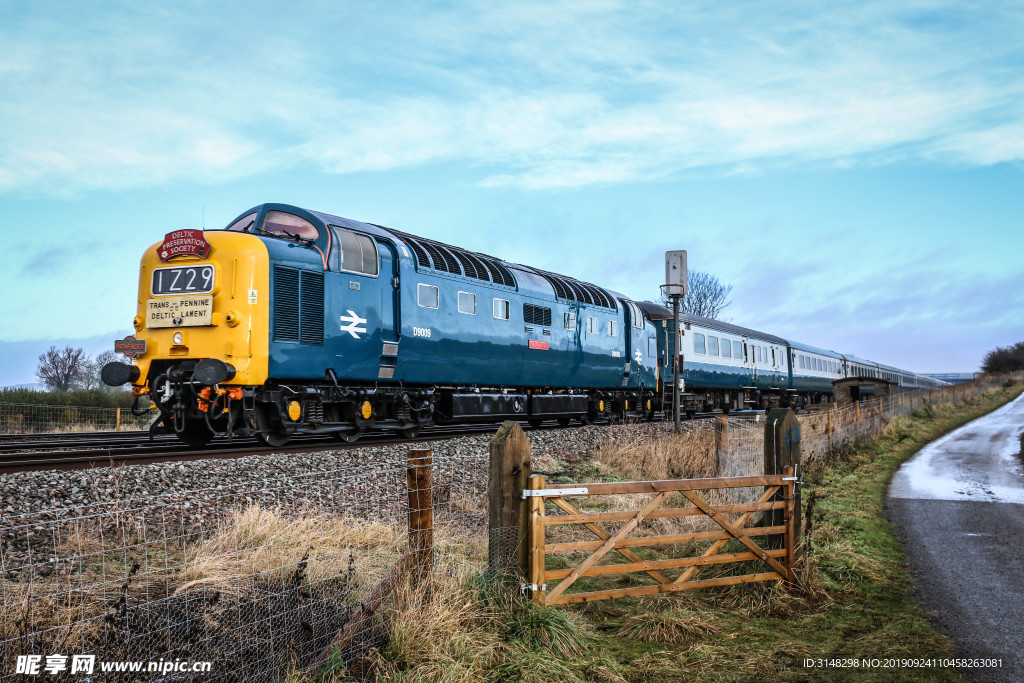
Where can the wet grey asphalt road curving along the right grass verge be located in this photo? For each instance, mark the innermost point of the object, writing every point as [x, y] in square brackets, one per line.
[958, 507]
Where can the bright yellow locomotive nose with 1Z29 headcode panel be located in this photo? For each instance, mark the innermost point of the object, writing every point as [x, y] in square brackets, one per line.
[216, 307]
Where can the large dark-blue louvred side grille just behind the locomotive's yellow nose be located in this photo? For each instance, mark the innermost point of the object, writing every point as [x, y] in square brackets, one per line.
[298, 306]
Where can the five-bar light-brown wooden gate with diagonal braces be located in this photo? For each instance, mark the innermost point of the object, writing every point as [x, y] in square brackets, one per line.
[780, 494]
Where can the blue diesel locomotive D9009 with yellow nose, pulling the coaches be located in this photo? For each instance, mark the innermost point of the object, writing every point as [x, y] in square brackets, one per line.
[297, 322]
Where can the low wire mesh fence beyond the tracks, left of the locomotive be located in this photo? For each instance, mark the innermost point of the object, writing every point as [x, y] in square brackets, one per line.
[34, 419]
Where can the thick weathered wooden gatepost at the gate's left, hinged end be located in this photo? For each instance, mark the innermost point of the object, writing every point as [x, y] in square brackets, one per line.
[507, 513]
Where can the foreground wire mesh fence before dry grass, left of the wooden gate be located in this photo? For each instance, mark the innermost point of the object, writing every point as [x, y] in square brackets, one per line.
[257, 578]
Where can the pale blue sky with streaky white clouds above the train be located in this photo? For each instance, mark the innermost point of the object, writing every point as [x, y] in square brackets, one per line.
[854, 169]
